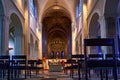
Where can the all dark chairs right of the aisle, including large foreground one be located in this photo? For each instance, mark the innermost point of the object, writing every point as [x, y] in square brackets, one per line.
[89, 62]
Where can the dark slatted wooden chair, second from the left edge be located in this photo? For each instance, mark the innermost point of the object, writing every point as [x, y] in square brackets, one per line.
[20, 63]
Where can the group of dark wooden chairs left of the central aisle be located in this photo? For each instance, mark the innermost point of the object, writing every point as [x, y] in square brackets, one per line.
[18, 63]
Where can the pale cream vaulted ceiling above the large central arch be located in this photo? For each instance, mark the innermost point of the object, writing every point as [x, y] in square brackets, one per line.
[67, 5]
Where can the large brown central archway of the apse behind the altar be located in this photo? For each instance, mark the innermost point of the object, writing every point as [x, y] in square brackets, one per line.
[56, 33]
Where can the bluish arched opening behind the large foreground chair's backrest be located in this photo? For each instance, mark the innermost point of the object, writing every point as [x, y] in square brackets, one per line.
[94, 32]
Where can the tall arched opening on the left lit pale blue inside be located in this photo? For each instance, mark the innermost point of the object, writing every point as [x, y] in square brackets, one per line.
[15, 35]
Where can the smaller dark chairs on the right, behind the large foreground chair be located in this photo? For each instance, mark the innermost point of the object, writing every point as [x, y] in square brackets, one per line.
[94, 61]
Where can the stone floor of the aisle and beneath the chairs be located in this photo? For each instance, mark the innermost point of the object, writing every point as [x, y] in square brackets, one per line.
[56, 76]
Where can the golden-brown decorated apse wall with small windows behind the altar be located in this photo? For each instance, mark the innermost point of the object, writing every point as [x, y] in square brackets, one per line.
[57, 47]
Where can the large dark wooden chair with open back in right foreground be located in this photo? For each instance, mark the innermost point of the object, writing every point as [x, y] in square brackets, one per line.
[99, 63]
